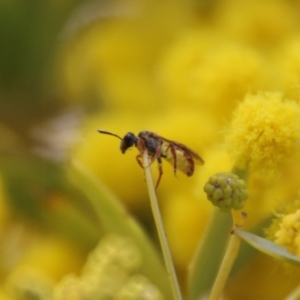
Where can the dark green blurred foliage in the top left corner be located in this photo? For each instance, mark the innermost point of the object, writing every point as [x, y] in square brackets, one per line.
[29, 33]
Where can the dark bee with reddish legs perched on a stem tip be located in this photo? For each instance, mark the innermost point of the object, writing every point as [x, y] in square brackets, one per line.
[180, 156]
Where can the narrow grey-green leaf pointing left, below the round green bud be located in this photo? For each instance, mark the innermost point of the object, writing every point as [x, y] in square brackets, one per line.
[267, 246]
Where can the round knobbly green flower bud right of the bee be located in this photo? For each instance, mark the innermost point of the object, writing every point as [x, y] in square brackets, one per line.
[227, 191]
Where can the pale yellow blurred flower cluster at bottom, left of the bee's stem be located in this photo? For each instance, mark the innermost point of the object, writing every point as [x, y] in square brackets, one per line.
[111, 272]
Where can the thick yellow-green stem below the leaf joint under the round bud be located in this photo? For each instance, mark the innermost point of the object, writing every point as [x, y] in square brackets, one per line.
[226, 266]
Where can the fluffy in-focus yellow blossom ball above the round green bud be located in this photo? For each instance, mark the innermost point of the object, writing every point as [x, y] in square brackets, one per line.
[265, 132]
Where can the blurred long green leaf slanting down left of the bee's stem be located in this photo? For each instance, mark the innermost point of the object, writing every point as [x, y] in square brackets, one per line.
[114, 218]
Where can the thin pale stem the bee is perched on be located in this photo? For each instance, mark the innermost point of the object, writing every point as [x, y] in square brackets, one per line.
[160, 229]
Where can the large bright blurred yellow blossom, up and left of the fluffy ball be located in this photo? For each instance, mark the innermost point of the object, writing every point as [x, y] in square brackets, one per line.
[210, 73]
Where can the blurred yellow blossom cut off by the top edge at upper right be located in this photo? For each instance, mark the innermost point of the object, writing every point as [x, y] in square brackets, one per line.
[257, 22]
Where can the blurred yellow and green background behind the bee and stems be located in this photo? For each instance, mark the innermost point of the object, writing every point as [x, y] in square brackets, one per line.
[177, 68]
